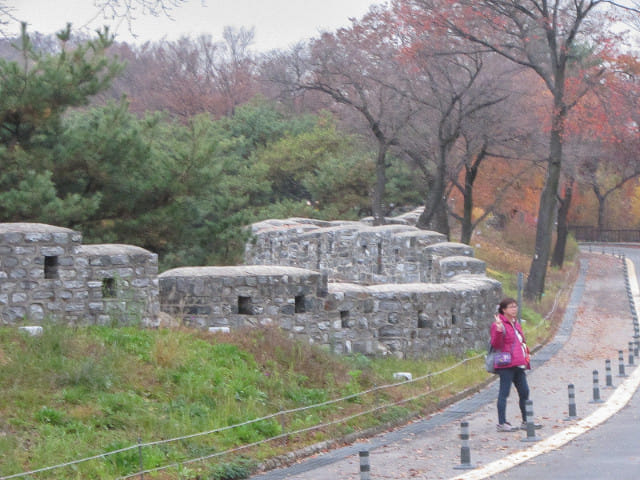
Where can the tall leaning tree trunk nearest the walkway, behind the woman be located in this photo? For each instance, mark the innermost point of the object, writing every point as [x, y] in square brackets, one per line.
[534, 287]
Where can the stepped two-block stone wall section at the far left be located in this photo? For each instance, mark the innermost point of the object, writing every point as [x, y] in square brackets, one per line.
[45, 272]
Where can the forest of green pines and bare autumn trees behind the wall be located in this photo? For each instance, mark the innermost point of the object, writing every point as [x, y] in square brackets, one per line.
[177, 146]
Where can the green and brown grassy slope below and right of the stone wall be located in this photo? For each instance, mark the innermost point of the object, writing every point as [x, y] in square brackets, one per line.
[75, 393]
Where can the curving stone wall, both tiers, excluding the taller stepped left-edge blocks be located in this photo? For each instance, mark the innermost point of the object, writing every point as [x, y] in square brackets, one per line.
[388, 290]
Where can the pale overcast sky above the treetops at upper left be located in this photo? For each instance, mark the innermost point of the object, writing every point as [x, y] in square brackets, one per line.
[278, 23]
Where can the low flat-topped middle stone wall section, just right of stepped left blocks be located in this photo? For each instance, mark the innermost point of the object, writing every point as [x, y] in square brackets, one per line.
[248, 295]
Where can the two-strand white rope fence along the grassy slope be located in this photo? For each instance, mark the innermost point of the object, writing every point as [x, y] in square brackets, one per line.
[267, 417]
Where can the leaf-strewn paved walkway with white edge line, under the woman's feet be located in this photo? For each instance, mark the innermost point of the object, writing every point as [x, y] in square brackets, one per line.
[596, 325]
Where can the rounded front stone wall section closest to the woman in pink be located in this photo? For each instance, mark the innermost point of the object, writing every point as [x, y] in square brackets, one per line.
[412, 320]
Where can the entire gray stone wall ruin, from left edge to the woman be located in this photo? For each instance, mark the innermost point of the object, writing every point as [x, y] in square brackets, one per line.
[348, 286]
